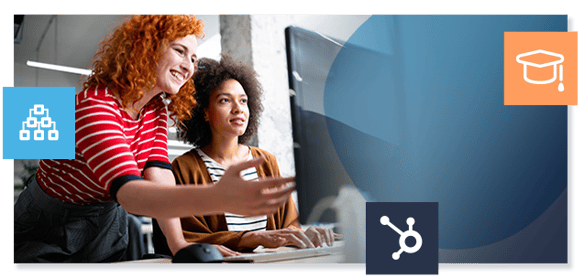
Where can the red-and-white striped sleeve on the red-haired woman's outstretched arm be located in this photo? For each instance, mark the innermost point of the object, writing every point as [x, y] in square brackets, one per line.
[99, 136]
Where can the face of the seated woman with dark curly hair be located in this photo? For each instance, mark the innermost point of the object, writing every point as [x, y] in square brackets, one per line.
[228, 112]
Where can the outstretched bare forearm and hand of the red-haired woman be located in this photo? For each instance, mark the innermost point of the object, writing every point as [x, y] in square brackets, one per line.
[230, 194]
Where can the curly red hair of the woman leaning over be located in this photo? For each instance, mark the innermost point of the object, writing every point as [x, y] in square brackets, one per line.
[127, 60]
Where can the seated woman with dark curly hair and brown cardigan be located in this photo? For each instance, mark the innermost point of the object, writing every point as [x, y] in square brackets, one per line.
[225, 118]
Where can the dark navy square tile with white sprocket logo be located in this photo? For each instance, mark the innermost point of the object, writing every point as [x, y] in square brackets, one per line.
[402, 239]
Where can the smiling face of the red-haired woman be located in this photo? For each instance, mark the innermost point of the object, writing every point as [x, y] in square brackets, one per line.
[176, 65]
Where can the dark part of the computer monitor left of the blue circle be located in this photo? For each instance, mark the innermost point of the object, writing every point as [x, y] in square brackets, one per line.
[317, 163]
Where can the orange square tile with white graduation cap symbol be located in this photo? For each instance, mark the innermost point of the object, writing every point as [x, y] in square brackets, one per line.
[541, 68]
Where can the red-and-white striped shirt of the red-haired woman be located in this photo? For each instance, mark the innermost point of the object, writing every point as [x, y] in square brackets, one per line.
[110, 148]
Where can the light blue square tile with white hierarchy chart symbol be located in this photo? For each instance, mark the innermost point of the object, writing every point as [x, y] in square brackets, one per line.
[38, 122]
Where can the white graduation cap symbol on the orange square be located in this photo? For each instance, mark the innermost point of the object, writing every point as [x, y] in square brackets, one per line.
[557, 59]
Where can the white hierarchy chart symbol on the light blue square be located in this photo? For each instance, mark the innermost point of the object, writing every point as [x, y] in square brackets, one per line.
[39, 121]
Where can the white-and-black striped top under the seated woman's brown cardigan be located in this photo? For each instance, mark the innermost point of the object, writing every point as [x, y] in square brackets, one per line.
[235, 223]
